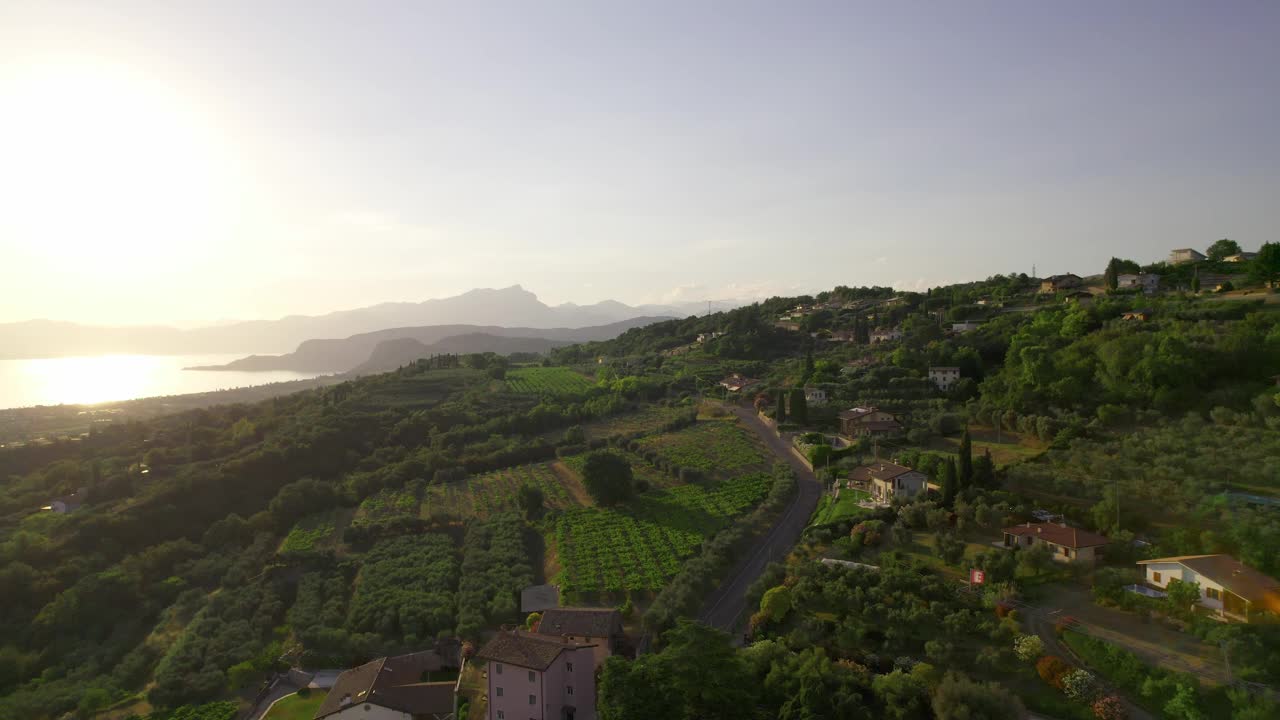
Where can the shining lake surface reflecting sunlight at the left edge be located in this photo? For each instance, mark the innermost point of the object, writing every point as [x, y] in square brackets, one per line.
[102, 379]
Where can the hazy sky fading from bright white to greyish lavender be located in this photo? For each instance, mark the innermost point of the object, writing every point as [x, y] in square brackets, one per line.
[188, 162]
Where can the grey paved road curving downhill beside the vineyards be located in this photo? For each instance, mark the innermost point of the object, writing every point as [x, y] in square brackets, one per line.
[726, 608]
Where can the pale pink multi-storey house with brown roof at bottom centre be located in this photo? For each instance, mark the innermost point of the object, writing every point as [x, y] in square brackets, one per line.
[537, 677]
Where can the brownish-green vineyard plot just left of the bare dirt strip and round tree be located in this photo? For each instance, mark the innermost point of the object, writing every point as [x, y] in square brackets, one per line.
[496, 493]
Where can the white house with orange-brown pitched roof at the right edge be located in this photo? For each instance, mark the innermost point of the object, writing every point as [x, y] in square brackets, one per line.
[1229, 587]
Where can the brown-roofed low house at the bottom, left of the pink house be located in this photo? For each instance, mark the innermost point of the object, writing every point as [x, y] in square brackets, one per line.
[391, 689]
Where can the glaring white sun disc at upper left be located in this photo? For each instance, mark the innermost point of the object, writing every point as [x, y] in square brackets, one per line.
[106, 170]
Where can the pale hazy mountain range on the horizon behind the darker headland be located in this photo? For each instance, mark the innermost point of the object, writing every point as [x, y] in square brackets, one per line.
[509, 308]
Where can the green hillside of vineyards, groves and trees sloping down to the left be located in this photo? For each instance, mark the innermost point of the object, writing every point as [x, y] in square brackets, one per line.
[217, 541]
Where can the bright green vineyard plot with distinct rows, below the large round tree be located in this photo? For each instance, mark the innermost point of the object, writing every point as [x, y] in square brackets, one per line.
[643, 546]
